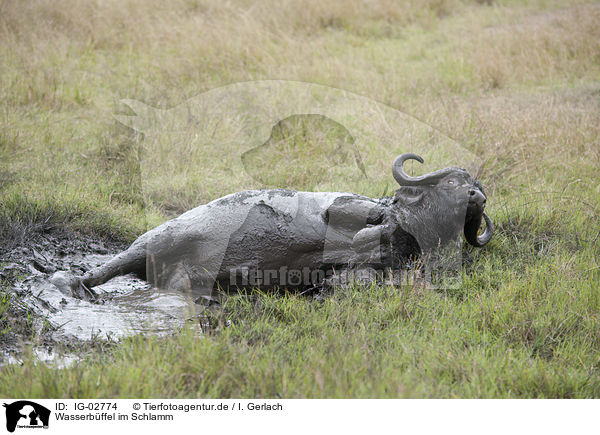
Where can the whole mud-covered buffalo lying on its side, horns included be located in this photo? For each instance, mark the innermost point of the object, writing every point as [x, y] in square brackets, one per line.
[287, 238]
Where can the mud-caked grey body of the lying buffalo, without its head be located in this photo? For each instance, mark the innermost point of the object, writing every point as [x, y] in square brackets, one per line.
[262, 230]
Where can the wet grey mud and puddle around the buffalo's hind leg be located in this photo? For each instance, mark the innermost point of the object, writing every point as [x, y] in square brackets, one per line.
[126, 304]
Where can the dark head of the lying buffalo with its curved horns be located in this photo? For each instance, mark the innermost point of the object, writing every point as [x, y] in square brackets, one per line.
[444, 192]
